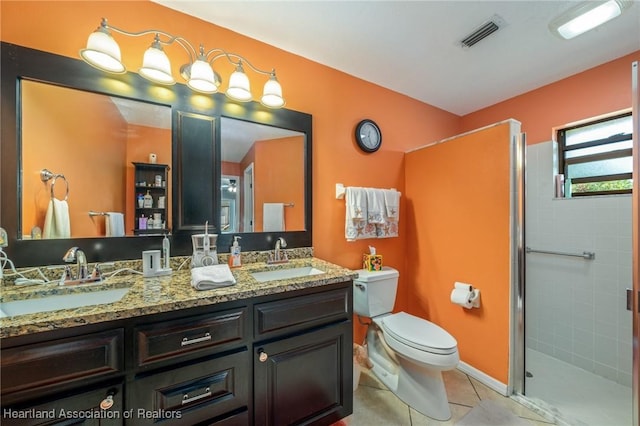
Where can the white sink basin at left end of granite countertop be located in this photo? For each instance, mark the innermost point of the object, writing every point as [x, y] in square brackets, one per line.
[57, 302]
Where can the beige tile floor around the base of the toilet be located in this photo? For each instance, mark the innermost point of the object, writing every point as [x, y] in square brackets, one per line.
[374, 405]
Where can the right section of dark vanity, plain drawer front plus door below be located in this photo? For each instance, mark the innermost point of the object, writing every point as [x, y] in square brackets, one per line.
[303, 359]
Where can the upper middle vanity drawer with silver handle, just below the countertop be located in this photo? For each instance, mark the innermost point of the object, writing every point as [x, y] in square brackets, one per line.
[171, 339]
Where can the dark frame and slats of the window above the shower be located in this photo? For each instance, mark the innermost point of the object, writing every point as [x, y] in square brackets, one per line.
[564, 163]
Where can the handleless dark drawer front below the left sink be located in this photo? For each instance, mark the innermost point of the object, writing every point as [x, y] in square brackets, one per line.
[62, 361]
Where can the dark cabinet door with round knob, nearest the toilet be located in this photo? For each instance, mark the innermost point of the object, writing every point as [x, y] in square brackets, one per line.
[306, 379]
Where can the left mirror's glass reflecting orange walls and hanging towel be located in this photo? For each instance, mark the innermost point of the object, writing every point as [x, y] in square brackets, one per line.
[92, 140]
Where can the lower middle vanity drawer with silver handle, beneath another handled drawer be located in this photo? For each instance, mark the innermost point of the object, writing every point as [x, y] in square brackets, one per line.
[193, 393]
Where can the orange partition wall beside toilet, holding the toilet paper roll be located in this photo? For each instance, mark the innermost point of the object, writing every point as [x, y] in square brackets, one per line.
[458, 203]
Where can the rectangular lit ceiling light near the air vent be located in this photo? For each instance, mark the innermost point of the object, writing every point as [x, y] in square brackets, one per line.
[587, 16]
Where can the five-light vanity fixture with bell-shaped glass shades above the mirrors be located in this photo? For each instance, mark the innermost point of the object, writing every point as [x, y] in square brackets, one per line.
[103, 52]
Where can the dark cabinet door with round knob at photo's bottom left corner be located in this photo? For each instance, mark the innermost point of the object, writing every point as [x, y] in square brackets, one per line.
[80, 408]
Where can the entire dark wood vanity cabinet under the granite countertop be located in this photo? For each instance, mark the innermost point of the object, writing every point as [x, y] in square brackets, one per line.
[274, 360]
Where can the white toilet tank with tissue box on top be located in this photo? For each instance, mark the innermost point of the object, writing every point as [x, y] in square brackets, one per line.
[374, 292]
